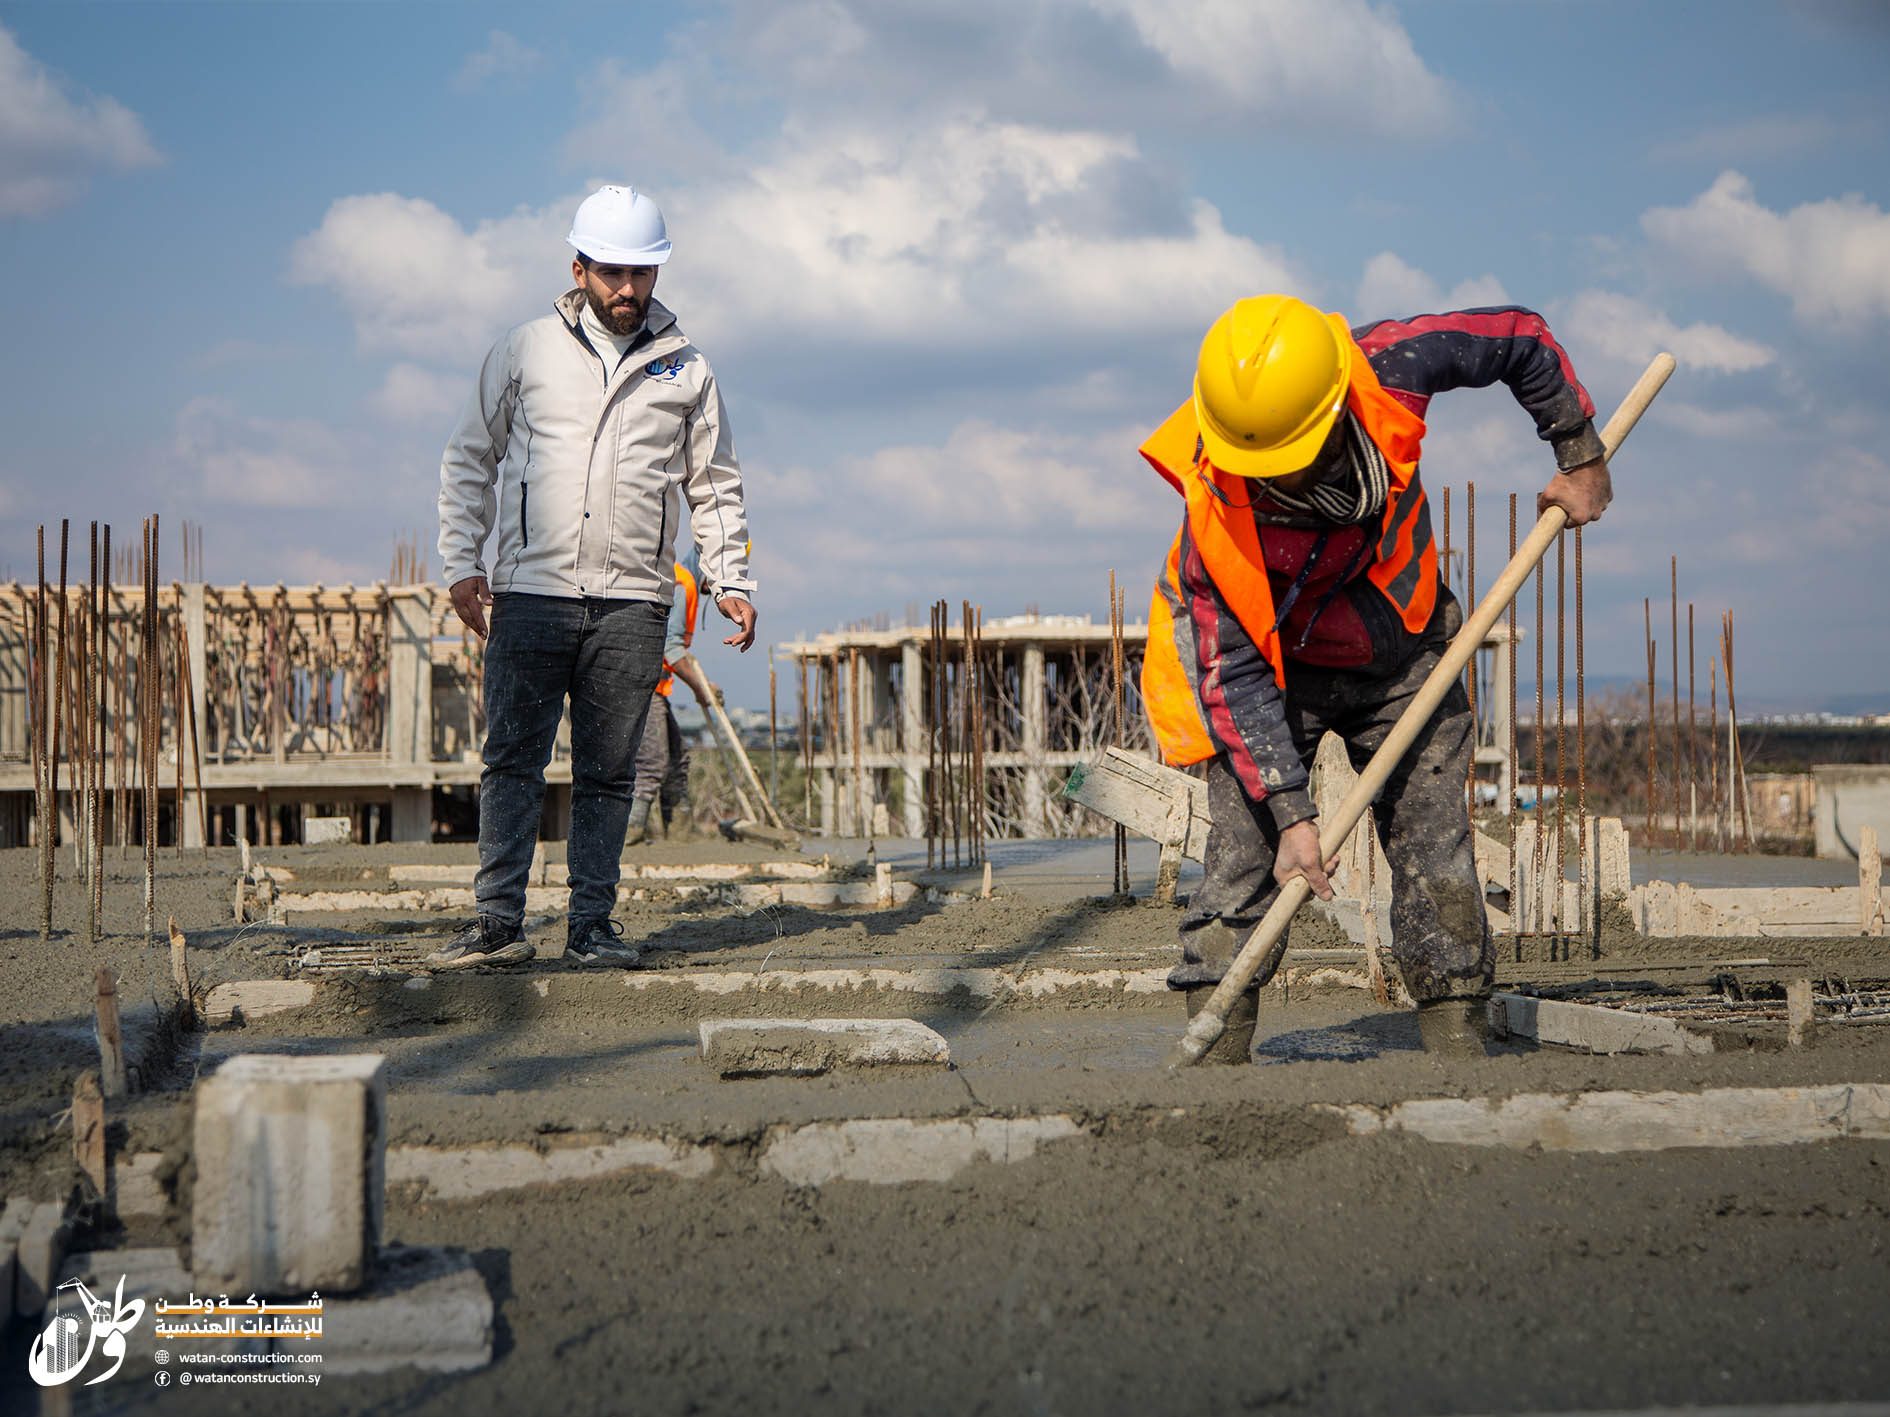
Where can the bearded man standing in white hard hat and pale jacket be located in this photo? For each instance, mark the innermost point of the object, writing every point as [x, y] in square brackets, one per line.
[593, 434]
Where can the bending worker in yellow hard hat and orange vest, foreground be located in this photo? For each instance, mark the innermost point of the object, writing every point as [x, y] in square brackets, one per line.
[1303, 596]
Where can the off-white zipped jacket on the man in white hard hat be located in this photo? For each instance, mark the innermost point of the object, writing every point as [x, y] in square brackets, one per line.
[585, 475]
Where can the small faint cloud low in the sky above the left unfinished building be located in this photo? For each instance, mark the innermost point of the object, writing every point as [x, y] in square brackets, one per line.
[256, 462]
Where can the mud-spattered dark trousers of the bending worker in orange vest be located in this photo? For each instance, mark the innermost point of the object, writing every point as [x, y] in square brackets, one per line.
[1439, 929]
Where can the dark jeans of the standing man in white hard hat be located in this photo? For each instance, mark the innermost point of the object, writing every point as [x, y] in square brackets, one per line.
[606, 657]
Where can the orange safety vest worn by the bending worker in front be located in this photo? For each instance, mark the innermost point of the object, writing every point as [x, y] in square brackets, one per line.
[1229, 545]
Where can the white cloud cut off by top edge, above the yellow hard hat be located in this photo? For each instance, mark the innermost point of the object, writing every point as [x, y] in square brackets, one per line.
[1316, 65]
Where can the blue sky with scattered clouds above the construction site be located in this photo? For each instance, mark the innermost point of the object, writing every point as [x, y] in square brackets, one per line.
[952, 262]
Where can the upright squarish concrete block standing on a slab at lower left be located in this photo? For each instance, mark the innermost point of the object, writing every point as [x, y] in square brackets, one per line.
[290, 1174]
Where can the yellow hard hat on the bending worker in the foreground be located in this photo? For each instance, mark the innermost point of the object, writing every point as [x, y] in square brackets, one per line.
[1269, 386]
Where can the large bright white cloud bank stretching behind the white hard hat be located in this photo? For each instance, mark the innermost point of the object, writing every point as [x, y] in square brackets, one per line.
[982, 233]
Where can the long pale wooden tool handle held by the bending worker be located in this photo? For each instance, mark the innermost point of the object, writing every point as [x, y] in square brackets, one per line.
[1267, 944]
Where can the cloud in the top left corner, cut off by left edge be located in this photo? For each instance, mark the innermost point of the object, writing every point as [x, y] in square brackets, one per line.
[56, 143]
